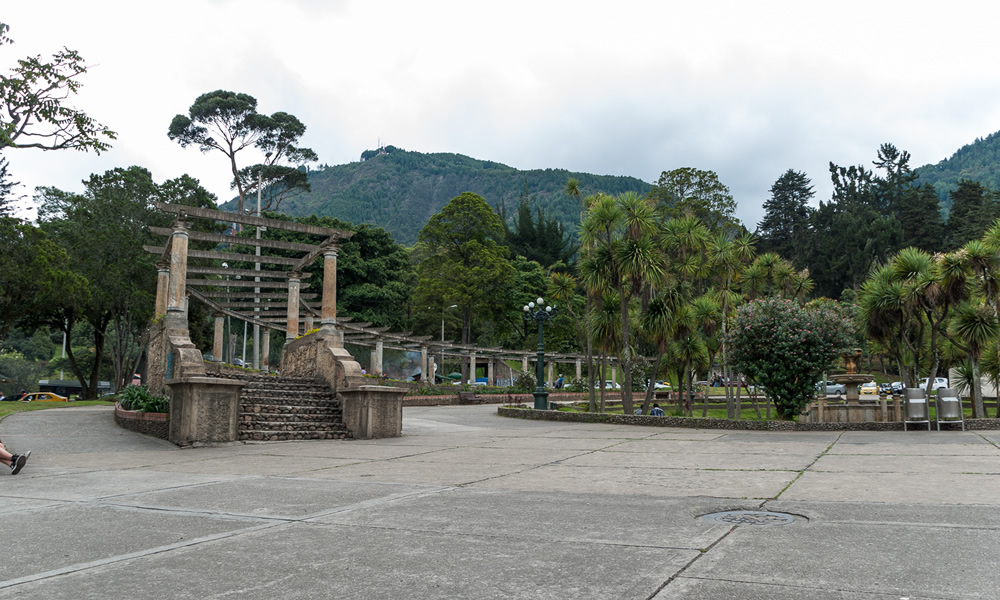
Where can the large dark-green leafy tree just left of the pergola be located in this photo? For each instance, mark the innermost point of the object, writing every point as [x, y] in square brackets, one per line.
[103, 231]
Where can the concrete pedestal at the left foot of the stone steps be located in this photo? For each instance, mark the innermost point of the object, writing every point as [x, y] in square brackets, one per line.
[204, 410]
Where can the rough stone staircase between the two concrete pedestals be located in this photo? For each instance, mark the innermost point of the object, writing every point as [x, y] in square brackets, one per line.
[286, 408]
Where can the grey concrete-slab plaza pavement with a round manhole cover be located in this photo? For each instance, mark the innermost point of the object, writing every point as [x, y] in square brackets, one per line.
[471, 505]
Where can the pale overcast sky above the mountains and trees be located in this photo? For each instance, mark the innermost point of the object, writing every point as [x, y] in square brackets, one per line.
[746, 89]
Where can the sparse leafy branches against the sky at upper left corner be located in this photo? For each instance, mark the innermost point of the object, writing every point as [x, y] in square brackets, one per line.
[36, 114]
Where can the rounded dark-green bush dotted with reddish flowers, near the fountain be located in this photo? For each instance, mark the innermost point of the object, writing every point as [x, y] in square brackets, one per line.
[786, 348]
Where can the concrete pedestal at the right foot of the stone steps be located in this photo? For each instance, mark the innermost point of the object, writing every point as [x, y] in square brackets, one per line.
[373, 411]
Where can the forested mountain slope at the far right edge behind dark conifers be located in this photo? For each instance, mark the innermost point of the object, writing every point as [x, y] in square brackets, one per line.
[978, 161]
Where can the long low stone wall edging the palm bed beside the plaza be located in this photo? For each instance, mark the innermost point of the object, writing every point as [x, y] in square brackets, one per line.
[700, 423]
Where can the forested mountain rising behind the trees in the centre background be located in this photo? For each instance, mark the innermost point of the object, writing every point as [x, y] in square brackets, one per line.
[401, 190]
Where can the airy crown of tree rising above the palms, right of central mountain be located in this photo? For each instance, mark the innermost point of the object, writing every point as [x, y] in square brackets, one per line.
[689, 191]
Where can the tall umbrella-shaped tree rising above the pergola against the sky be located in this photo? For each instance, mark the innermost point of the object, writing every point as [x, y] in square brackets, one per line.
[229, 123]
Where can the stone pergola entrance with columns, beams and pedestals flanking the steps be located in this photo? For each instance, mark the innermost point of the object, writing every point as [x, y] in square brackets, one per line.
[204, 406]
